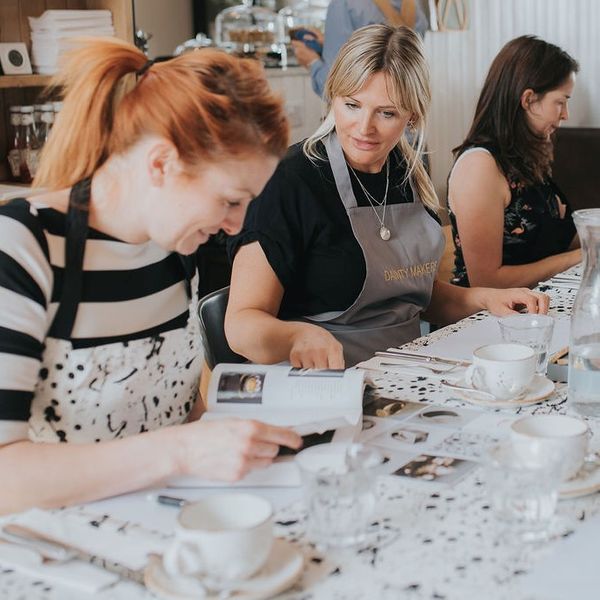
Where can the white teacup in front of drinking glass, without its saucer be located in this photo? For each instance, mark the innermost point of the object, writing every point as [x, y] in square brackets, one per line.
[504, 370]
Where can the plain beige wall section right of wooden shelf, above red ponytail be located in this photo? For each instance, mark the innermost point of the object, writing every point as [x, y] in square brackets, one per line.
[169, 21]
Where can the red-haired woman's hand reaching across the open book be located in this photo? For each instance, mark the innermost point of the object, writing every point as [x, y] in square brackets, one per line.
[228, 449]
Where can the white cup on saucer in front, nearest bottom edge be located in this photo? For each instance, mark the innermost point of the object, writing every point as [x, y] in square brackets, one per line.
[224, 546]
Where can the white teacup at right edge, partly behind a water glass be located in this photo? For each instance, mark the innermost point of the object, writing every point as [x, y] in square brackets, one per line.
[538, 436]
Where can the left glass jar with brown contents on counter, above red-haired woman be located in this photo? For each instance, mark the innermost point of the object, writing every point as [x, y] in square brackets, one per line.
[252, 31]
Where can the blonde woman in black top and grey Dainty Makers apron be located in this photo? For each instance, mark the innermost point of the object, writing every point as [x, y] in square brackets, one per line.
[338, 255]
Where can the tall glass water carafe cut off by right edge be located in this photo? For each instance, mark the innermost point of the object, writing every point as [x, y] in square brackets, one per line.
[584, 347]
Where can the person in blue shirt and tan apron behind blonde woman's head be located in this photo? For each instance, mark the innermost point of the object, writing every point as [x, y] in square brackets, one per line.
[346, 16]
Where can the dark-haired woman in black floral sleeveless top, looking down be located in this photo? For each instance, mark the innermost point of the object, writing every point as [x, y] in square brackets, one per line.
[511, 224]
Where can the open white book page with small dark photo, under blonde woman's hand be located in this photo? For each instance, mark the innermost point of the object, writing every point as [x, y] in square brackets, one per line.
[310, 400]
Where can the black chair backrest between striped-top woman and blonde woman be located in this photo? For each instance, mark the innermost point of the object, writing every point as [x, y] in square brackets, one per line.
[211, 312]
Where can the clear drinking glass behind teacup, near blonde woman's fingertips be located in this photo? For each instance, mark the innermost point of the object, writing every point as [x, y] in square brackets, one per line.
[531, 330]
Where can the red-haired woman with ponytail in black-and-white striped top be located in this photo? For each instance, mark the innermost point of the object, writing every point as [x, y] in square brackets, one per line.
[99, 341]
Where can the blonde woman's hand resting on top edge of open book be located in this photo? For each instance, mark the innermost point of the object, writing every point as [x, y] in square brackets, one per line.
[315, 348]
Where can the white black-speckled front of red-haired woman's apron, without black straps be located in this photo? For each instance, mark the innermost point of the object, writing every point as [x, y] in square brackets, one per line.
[116, 390]
